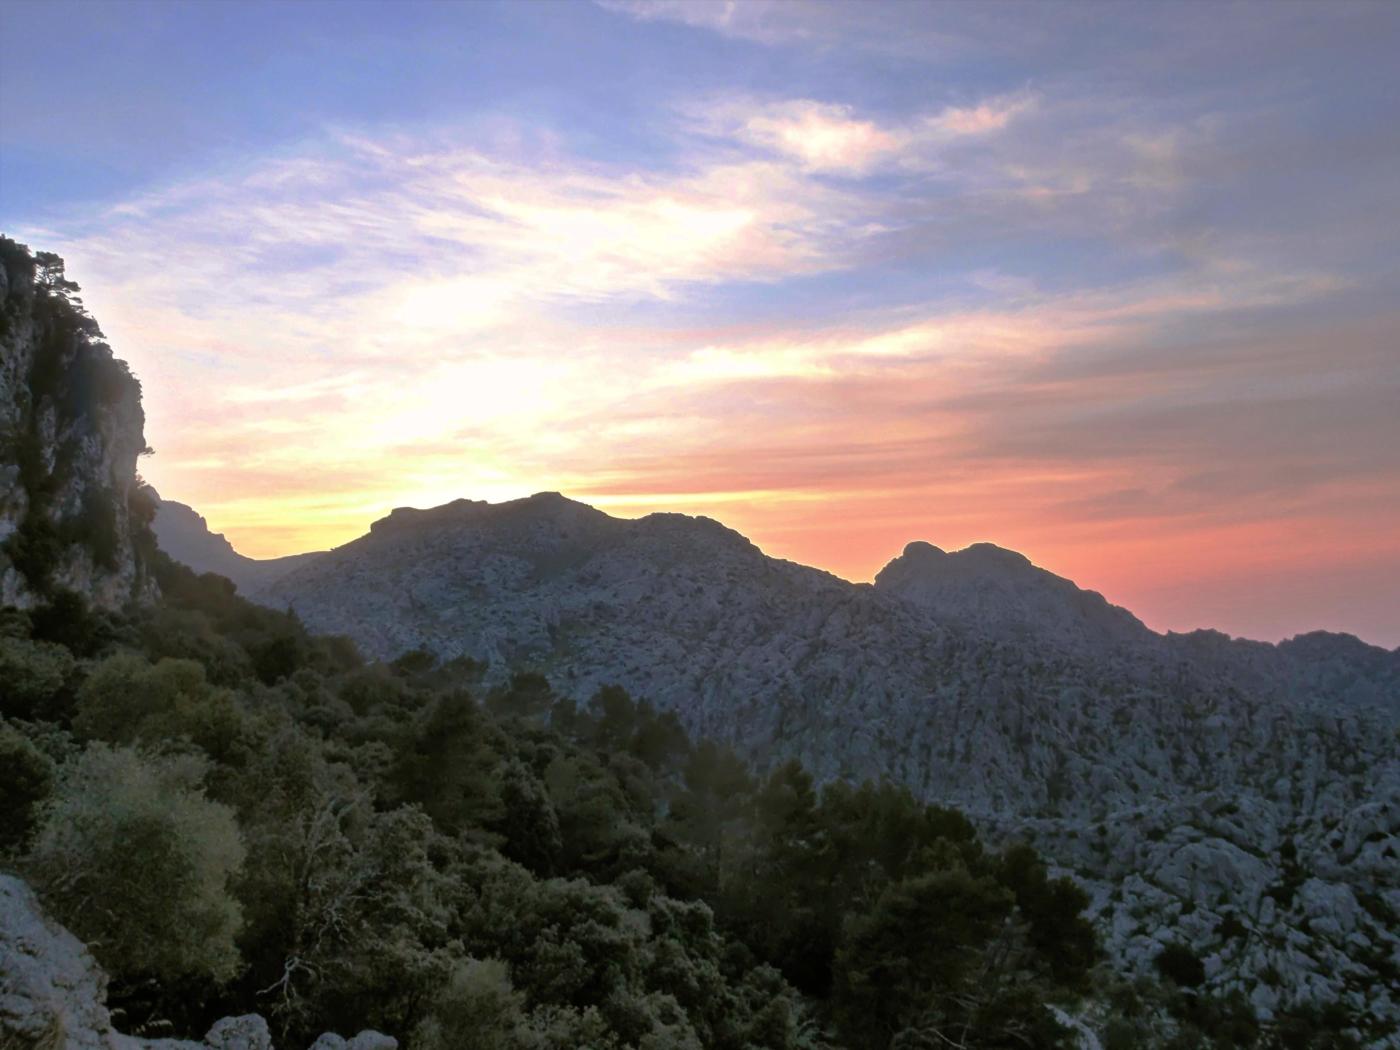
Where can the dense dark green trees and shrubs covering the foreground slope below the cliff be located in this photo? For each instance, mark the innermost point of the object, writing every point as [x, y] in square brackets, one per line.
[240, 817]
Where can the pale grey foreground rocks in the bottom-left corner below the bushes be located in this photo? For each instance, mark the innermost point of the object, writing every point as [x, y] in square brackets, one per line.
[54, 995]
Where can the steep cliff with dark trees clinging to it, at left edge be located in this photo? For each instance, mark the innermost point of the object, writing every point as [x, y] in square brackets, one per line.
[71, 435]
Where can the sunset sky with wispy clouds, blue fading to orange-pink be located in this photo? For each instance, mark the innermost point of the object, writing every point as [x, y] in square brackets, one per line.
[1114, 285]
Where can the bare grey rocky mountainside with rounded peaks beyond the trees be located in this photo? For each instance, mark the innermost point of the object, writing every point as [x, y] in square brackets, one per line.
[1240, 799]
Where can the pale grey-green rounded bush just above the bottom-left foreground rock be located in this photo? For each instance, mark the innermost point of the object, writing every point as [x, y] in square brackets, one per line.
[135, 860]
